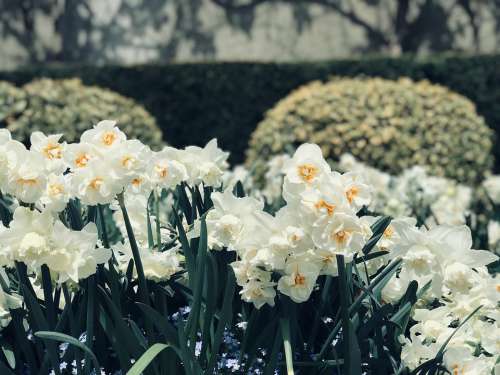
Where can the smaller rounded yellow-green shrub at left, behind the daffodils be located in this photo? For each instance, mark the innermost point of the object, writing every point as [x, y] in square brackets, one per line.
[69, 107]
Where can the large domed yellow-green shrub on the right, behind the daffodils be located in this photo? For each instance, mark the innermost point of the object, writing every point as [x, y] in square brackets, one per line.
[390, 125]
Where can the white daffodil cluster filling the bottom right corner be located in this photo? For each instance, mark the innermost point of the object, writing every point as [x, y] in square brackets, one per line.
[459, 284]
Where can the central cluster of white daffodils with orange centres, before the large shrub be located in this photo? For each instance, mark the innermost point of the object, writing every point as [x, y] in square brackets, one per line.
[302, 240]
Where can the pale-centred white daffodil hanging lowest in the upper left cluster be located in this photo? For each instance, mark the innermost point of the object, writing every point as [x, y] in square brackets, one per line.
[57, 192]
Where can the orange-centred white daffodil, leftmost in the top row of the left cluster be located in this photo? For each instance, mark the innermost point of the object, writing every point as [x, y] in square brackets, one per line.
[51, 149]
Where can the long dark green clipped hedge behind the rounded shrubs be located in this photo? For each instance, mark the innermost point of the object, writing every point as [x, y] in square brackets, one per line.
[196, 102]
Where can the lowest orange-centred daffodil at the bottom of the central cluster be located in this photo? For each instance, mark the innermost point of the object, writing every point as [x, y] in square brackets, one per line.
[299, 279]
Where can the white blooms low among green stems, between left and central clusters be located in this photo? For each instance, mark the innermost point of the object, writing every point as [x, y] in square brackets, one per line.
[158, 266]
